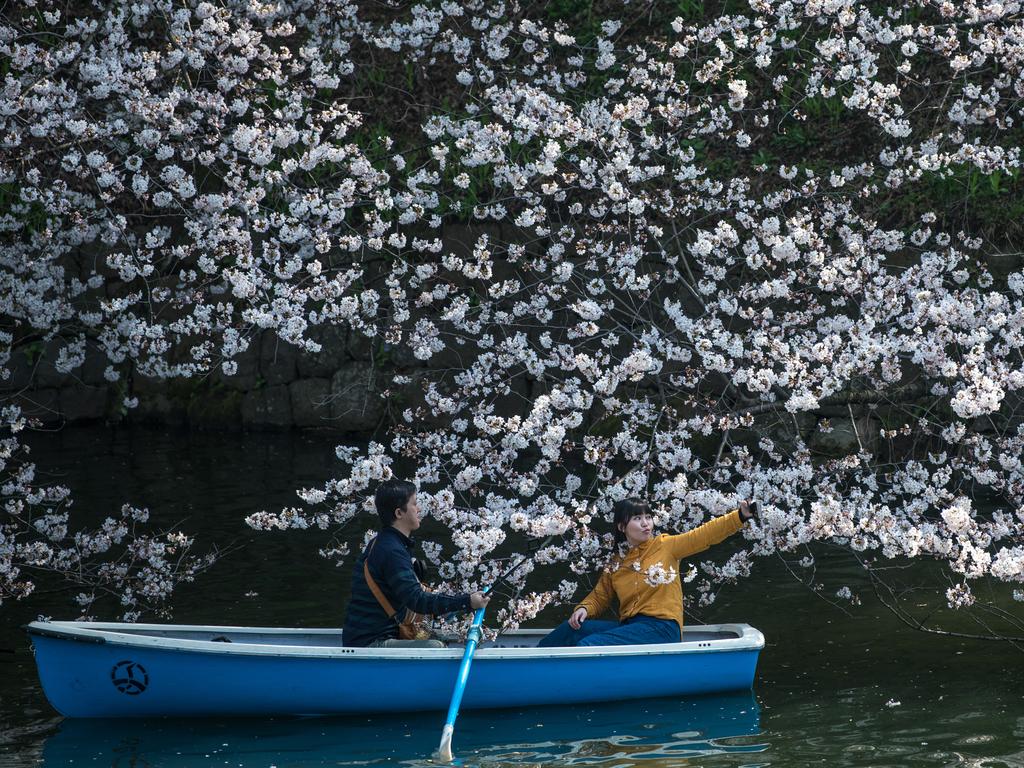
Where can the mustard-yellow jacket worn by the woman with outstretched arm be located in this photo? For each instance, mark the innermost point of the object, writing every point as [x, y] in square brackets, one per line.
[628, 578]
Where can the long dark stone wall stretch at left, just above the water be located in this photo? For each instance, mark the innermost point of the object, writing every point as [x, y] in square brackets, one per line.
[349, 387]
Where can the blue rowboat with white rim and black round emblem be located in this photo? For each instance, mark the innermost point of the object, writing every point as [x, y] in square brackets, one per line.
[129, 670]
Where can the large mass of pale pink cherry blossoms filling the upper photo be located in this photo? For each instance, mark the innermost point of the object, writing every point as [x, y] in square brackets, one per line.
[708, 241]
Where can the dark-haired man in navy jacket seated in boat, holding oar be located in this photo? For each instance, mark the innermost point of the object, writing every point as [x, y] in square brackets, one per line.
[387, 588]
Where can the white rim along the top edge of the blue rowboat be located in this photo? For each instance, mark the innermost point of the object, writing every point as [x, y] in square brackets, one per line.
[747, 639]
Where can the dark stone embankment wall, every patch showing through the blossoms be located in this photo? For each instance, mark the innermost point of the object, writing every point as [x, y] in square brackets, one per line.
[348, 388]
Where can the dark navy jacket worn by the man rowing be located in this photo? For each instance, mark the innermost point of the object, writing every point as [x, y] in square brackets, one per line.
[392, 567]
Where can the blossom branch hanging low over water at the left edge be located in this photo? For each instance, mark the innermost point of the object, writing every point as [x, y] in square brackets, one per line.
[115, 561]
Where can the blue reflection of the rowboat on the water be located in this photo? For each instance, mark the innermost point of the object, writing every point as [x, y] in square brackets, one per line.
[620, 735]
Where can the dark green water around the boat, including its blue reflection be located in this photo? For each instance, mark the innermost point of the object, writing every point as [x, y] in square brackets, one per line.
[832, 690]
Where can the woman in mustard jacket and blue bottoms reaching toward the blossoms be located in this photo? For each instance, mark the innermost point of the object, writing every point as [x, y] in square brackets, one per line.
[646, 580]
